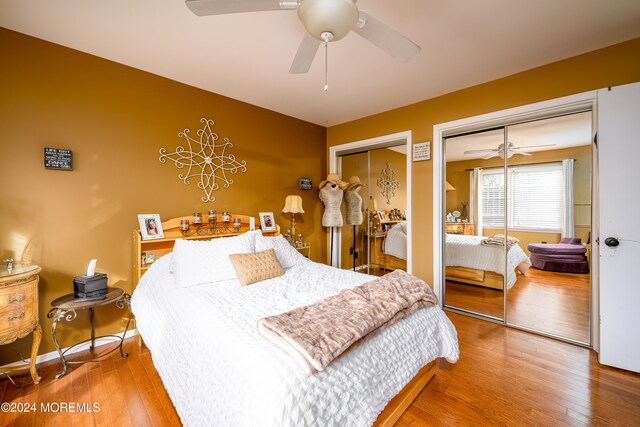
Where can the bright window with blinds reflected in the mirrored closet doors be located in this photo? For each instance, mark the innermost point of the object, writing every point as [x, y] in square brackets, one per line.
[534, 200]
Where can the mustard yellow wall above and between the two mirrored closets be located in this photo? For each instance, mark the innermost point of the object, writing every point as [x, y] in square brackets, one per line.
[612, 66]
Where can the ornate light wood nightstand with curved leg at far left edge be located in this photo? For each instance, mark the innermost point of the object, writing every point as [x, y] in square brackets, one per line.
[19, 310]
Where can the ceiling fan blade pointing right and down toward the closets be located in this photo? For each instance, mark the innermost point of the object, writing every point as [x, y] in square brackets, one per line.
[386, 38]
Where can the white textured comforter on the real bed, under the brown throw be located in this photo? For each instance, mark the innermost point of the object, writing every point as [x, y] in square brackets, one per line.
[219, 370]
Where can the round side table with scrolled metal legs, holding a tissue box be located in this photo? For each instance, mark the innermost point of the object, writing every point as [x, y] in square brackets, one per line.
[65, 308]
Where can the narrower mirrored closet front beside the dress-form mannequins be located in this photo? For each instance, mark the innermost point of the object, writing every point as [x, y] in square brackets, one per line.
[374, 236]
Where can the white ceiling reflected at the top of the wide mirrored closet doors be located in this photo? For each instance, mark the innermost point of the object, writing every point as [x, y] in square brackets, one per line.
[563, 132]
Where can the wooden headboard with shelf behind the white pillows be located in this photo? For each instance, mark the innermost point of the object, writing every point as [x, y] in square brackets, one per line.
[171, 229]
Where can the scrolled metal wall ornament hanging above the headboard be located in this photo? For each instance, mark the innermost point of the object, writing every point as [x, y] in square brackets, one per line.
[205, 159]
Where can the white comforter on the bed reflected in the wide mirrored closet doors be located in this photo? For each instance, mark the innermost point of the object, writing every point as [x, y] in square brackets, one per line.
[466, 251]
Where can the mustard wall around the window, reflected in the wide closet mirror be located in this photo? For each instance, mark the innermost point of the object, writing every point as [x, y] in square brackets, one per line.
[458, 176]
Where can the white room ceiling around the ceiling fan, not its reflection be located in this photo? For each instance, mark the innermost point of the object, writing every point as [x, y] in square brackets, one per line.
[247, 56]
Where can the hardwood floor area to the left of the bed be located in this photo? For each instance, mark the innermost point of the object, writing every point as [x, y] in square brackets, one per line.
[128, 391]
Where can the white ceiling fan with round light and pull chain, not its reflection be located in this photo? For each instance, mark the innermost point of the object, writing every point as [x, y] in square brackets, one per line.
[325, 21]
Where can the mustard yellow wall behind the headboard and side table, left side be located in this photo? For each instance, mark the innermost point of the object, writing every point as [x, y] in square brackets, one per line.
[115, 119]
